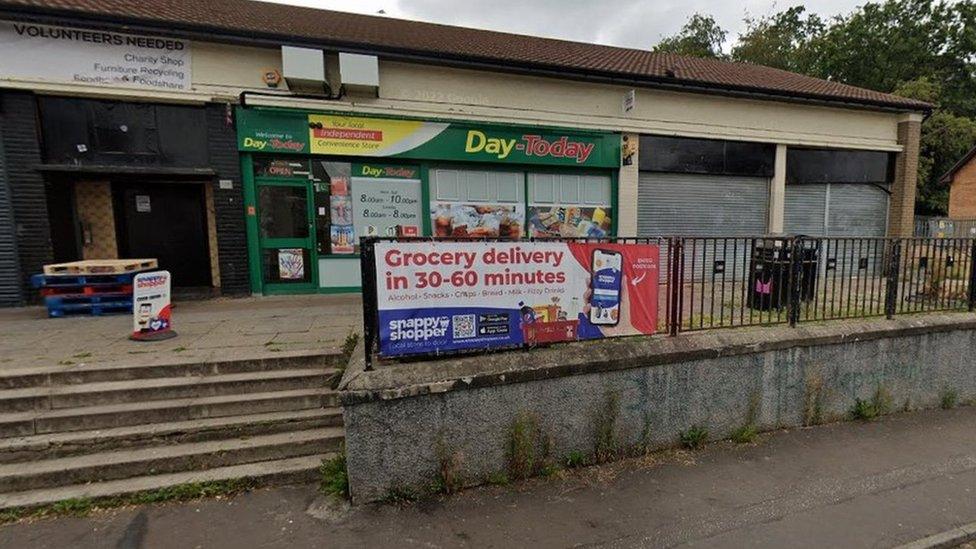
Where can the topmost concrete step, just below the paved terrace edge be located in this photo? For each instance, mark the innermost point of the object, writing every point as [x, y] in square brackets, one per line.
[51, 376]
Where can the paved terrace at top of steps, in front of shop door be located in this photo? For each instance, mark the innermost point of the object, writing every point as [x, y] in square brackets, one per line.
[215, 328]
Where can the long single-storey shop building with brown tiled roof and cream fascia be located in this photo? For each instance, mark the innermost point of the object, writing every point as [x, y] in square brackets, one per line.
[454, 131]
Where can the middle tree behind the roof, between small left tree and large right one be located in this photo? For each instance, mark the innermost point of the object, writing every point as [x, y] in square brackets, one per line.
[780, 40]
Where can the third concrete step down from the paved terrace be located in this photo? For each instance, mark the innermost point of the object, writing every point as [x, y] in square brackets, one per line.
[159, 411]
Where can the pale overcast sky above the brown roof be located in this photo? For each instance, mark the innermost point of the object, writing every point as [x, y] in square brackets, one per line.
[629, 23]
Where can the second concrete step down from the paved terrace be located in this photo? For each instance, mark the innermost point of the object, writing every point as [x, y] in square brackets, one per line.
[143, 390]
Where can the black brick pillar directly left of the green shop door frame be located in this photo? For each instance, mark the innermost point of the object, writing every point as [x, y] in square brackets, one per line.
[228, 203]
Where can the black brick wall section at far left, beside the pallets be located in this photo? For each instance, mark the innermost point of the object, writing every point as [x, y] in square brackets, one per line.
[28, 197]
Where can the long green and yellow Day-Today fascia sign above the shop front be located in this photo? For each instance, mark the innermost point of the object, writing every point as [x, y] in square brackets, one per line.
[326, 134]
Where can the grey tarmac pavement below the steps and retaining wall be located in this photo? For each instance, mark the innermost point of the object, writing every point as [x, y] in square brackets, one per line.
[844, 485]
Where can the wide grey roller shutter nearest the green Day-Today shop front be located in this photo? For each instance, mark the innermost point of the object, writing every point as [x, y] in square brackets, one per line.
[701, 205]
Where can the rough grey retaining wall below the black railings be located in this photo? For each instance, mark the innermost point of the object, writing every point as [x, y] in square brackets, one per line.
[404, 421]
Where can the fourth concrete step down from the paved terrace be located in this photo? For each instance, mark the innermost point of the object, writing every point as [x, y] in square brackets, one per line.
[57, 445]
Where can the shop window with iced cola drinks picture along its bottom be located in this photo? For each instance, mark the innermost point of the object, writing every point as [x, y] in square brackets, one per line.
[477, 203]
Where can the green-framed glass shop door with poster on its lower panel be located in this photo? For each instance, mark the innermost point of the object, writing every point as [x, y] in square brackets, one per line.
[289, 263]
